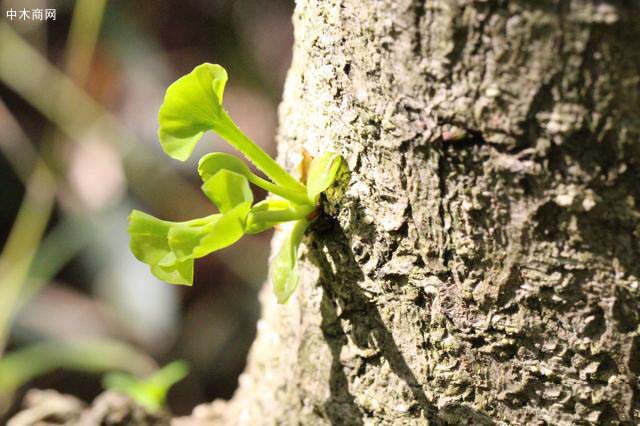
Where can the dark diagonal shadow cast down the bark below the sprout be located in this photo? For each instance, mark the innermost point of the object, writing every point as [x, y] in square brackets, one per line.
[348, 314]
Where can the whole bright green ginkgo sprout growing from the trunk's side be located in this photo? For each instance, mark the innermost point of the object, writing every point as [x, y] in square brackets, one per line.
[193, 106]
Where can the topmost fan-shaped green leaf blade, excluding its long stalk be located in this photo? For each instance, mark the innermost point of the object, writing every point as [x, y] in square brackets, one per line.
[192, 105]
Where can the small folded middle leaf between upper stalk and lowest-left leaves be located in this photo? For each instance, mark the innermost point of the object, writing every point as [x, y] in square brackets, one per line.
[227, 190]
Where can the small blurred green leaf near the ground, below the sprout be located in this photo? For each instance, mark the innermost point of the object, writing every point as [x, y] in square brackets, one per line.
[150, 392]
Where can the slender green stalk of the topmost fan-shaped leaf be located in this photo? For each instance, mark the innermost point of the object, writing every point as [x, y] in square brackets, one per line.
[234, 136]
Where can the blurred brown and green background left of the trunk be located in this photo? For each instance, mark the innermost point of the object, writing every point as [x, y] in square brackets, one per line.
[79, 96]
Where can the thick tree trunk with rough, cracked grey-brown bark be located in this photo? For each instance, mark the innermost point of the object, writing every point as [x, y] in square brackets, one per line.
[480, 263]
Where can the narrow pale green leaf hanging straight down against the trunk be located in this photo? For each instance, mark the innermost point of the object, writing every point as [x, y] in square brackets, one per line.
[284, 267]
